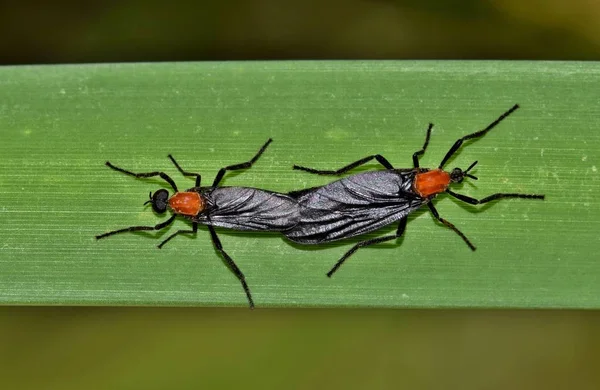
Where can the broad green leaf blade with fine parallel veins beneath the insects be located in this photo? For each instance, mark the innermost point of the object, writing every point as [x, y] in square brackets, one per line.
[59, 124]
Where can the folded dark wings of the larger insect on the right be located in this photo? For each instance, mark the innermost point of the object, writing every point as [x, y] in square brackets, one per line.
[354, 205]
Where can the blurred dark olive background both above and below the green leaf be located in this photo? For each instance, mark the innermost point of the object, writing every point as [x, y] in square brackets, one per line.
[157, 348]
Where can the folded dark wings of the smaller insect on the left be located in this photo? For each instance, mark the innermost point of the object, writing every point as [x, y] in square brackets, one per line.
[243, 208]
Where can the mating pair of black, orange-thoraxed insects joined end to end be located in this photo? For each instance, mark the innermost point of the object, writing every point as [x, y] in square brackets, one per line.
[349, 207]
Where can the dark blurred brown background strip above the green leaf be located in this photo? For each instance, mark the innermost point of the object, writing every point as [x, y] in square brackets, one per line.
[153, 30]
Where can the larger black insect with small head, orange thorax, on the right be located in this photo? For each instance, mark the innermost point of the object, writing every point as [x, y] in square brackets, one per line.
[367, 201]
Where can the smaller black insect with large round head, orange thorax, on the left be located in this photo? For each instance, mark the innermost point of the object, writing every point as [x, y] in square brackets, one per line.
[239, 208]
